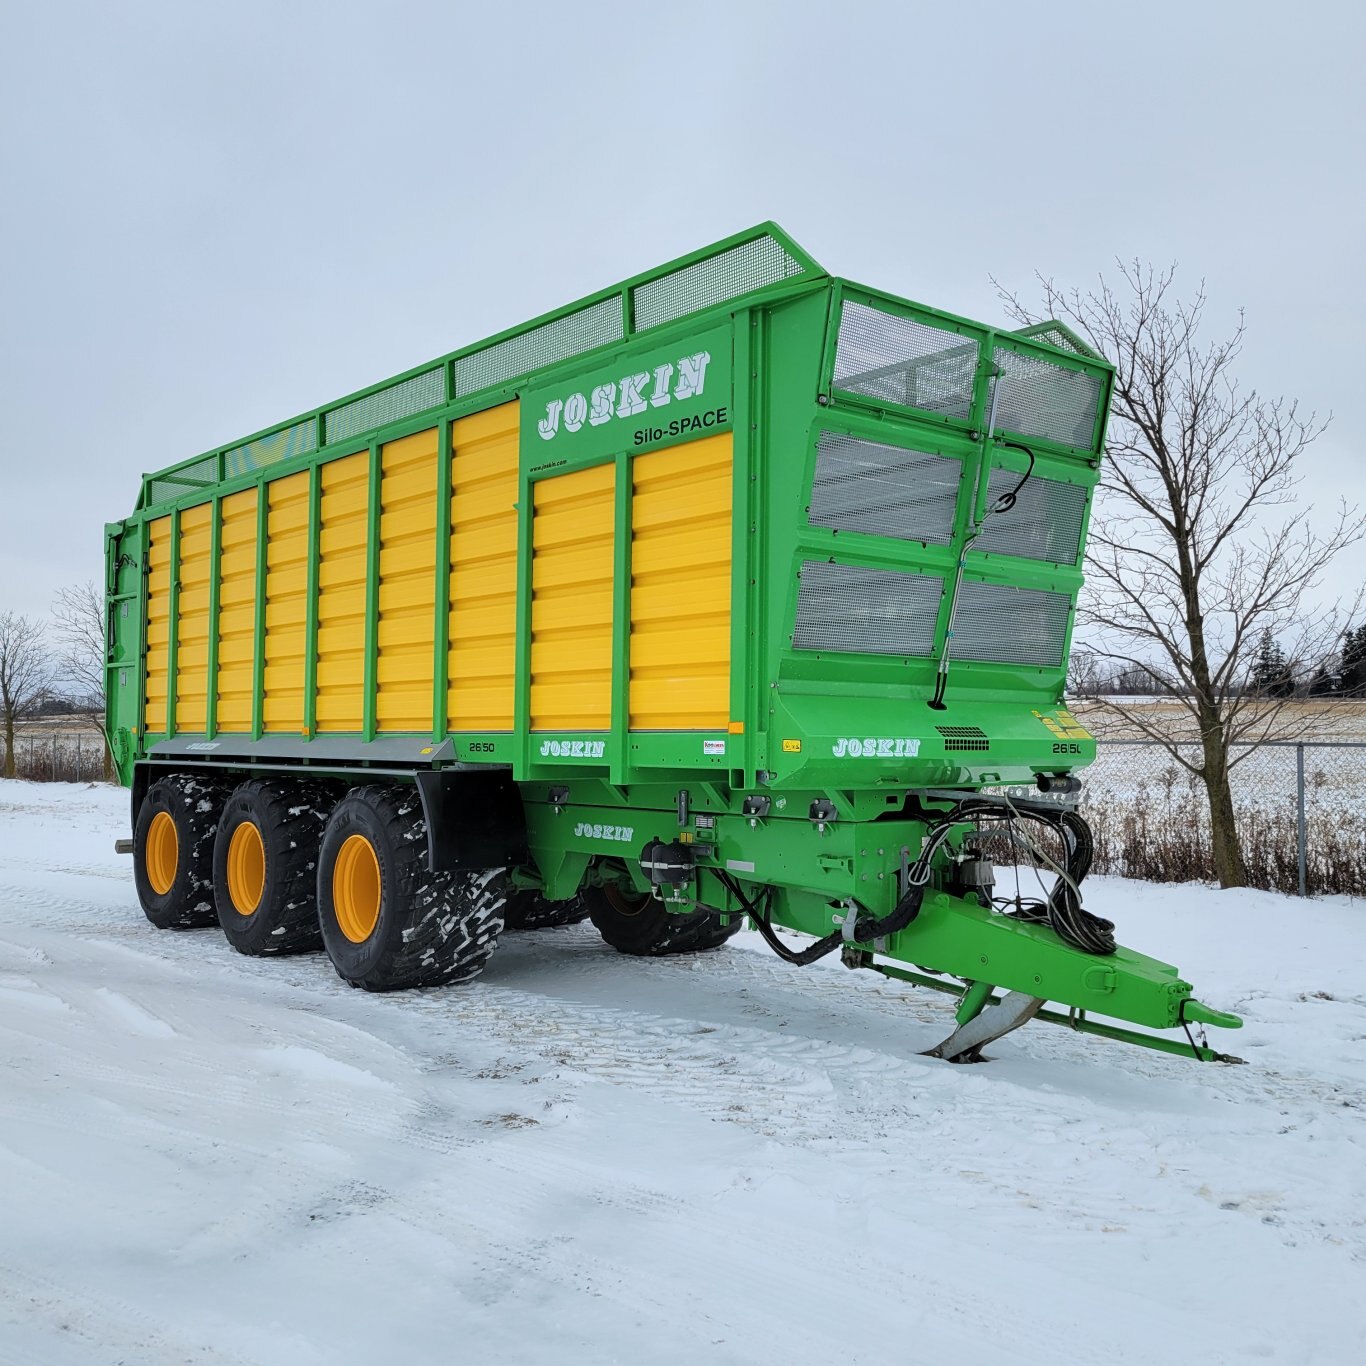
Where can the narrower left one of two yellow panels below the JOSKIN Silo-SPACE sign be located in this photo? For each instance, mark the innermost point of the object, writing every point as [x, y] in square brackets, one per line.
[572, 602]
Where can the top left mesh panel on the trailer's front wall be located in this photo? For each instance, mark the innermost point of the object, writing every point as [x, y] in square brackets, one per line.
[902, 361]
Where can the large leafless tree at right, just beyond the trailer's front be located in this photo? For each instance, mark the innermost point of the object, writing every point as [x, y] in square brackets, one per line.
[1197, 542]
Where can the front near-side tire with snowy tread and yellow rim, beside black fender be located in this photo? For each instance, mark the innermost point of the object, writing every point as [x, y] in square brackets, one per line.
[387, 923]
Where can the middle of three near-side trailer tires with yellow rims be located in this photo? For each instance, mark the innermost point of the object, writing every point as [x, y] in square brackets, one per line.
[266, 867]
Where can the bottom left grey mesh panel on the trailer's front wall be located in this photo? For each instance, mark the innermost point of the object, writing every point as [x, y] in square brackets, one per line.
[845, 607]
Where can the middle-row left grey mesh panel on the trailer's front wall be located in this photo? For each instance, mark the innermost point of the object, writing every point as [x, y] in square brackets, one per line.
[884, 490]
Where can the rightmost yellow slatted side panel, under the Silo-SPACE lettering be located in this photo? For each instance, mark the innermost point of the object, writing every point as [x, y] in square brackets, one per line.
[681, 588]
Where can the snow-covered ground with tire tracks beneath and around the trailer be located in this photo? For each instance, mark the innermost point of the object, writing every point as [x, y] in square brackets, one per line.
[585, 1158]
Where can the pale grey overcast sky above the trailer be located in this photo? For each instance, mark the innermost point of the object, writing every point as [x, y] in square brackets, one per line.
[217, 217]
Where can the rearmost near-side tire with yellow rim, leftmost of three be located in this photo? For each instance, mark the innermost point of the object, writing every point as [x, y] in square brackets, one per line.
[173, 852]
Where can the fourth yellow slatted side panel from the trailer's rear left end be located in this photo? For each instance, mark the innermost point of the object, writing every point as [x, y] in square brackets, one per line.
[286, 603]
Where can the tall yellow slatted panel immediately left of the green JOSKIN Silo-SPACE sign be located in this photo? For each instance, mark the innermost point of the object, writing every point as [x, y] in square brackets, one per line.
[484, 527]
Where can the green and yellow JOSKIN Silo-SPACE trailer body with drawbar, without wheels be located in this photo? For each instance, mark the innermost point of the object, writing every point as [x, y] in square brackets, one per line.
[736, 587]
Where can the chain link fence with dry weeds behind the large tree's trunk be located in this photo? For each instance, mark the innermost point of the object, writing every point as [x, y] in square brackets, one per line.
[1300, 809]
